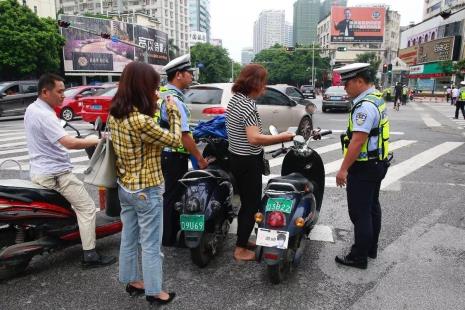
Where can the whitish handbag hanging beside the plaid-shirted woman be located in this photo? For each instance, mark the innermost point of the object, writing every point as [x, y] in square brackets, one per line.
[102, 167]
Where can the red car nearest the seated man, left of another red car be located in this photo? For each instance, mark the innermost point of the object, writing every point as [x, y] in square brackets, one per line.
[70, 108]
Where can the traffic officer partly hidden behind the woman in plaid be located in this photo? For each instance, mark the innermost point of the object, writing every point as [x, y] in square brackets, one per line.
[175, 161]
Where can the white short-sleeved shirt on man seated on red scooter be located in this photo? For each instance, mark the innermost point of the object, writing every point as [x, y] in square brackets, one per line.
[43, 130]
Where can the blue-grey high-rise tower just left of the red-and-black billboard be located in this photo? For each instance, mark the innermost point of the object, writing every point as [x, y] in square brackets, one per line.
[306, 17]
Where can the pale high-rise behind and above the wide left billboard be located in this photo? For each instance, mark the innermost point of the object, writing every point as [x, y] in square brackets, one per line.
[171, 16]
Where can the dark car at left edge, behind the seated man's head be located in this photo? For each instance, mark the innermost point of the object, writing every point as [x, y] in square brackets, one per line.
[15, 97]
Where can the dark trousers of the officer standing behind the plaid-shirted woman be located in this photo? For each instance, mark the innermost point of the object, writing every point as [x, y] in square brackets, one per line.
[174, 165]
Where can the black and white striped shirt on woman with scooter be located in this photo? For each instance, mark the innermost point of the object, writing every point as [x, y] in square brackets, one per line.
[241, 113]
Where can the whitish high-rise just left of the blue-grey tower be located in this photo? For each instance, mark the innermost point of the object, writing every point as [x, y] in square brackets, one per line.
[269, 29]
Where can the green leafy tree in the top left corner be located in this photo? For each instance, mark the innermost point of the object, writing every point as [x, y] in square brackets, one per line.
[29, 45]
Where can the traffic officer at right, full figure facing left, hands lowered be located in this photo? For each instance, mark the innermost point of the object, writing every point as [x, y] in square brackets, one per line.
[365, 146]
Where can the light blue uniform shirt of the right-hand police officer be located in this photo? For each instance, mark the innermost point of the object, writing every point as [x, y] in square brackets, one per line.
[366, 117]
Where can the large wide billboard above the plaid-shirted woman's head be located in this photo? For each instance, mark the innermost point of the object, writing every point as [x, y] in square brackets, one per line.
[85, 52]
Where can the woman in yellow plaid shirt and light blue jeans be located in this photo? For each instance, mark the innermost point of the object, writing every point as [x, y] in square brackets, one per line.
[138, 141]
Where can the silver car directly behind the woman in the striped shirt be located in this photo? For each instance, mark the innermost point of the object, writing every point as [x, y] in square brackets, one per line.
[206, 101]
